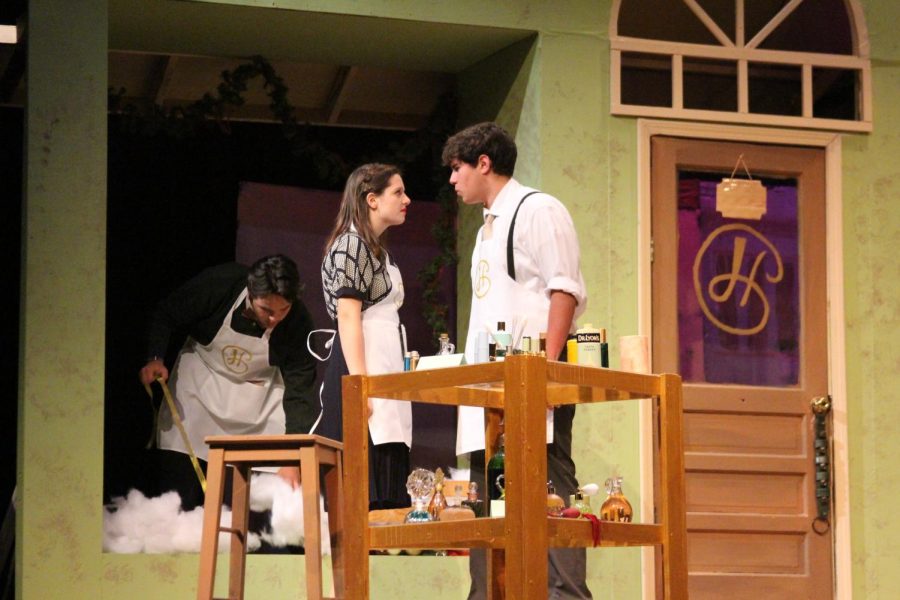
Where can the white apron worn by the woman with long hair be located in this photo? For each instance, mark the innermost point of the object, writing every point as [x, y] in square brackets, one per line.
[391, 420]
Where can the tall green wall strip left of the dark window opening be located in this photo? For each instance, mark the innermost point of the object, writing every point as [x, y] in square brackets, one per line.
[62, 302]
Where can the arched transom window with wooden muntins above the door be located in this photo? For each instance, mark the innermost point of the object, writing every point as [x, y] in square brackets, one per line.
[789, 63]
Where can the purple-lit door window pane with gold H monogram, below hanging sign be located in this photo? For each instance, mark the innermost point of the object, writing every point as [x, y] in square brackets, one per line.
[738, 320]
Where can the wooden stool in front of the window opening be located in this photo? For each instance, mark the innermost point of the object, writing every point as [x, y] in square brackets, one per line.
[244, 452]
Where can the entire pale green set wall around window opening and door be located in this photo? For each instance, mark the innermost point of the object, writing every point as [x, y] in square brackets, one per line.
[552, 91]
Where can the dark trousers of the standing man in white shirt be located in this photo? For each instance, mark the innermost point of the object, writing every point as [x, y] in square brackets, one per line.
[566, 567]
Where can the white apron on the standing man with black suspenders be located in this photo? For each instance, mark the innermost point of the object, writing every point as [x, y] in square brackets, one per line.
[495, 297]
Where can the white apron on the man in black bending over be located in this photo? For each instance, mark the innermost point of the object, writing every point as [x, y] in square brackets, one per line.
[227, 387]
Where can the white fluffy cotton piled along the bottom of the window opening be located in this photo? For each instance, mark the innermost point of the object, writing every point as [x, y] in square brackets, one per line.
[136, 524]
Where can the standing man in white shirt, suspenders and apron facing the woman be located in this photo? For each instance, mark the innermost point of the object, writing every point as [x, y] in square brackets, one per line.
[525, 272]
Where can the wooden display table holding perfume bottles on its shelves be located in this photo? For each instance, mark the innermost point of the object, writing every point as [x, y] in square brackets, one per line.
[521, 388]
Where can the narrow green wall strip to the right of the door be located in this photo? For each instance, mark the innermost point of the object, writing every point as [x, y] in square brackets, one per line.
[871, 287]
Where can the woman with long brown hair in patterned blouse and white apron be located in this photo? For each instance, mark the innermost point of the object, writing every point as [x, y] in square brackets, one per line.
[363, 291]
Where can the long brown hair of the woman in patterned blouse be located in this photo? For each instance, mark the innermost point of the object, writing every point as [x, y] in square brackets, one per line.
[372, 178]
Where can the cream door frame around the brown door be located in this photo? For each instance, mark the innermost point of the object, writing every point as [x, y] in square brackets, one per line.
[837, 371]
